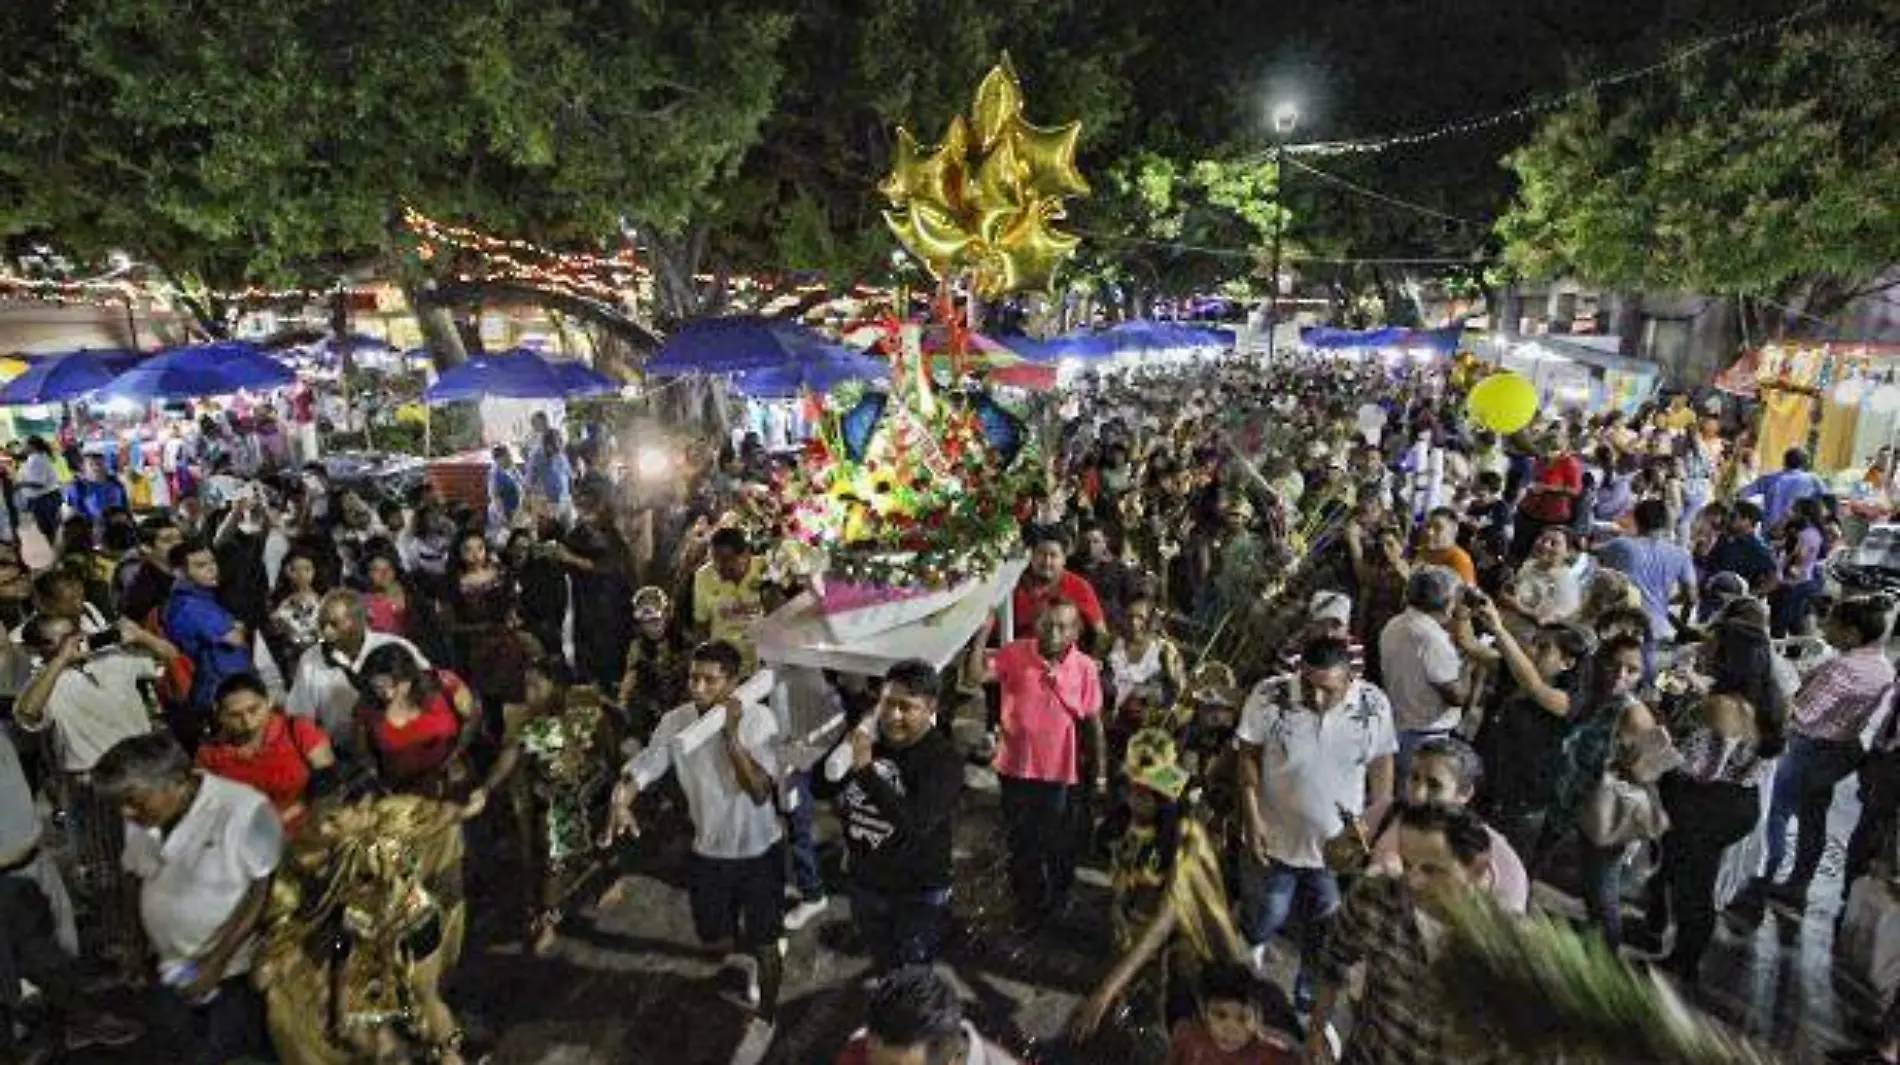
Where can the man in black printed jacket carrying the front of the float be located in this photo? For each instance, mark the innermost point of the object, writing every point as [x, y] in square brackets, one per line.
[898, 800]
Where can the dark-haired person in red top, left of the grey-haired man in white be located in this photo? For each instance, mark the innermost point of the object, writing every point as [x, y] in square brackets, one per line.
[263, 747]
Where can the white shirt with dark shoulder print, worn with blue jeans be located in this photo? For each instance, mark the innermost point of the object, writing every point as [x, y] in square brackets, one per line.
[1314, 764]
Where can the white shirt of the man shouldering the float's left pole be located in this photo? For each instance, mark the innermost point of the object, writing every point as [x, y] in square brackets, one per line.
[727, 821]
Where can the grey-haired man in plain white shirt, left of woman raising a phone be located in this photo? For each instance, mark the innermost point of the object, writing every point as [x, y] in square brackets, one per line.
[1420, 663]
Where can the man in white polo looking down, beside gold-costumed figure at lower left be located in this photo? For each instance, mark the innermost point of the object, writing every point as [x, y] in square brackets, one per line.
[204, 851]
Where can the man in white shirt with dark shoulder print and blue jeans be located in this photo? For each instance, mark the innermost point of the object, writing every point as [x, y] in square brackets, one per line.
[1316, 749]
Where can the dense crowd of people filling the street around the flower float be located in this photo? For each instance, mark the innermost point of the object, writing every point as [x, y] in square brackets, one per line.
[1276, 669]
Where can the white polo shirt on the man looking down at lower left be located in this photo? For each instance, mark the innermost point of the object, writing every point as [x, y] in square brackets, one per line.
[197, 876]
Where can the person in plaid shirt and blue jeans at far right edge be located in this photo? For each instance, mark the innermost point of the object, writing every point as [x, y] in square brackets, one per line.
[1825, 728]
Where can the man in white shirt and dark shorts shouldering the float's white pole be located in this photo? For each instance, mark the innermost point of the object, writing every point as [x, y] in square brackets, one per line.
[723, 753]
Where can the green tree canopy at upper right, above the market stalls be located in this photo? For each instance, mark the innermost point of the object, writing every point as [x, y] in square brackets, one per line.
[1766, 172]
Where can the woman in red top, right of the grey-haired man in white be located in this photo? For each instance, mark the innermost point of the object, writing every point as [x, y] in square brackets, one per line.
[417, 726]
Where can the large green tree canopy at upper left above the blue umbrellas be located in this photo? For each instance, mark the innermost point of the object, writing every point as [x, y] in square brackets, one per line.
[275, 141]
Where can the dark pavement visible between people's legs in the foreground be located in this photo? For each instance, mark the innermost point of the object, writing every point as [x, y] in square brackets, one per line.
[630, 986]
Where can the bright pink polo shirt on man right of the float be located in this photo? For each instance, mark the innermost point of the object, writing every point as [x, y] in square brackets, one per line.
[1042, 705]
